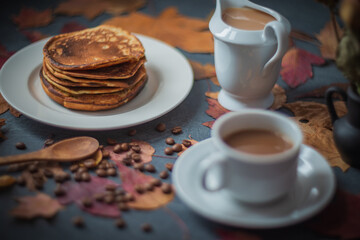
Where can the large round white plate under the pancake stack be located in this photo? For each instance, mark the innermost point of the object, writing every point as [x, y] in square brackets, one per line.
[170, 81]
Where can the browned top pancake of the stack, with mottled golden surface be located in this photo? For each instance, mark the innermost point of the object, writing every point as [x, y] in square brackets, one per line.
[93, 48]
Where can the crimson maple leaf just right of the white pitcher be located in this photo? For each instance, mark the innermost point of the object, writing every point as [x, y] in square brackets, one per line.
[296, 66]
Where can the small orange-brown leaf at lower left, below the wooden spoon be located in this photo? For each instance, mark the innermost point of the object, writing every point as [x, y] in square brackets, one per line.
[40, 205]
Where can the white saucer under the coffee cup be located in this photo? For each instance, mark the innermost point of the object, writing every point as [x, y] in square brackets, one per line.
[313, 190]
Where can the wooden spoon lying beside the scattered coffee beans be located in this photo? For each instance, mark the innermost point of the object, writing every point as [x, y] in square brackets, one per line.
[67, 150]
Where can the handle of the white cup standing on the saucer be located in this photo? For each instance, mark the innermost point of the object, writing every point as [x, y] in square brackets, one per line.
[214, 160]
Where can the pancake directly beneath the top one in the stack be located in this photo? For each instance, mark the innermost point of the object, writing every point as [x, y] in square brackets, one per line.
[118, 71]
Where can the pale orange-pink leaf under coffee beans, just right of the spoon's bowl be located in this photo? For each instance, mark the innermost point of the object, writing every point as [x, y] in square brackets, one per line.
[147, 151]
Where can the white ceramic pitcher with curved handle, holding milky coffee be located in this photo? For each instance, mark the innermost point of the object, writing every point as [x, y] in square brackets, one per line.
[247, 62]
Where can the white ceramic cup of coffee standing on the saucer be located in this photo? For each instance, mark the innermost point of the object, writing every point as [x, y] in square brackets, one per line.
[252, 178]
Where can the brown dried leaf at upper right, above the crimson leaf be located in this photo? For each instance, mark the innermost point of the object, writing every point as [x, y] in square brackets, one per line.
[328, 40]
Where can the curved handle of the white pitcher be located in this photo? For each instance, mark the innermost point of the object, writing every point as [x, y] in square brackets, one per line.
[278, 29]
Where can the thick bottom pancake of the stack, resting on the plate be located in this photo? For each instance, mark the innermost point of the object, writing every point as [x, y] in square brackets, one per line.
[88, 102]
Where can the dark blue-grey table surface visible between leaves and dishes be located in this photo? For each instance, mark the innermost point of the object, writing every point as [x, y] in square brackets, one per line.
[305, 15]
